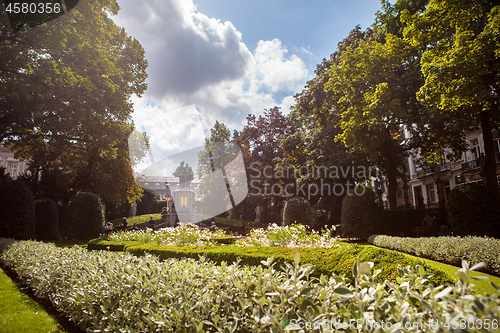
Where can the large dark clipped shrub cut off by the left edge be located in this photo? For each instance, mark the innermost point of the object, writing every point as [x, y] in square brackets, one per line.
[17, 216]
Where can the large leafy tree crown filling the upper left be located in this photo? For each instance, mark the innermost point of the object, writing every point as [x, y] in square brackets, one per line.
[64, 97]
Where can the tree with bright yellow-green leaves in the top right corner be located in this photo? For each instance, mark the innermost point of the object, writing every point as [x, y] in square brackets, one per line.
[460, 63]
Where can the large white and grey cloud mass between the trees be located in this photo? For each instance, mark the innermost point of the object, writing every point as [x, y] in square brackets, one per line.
[200, 71]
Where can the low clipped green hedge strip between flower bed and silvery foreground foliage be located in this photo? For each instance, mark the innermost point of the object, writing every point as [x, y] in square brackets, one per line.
[327, 261]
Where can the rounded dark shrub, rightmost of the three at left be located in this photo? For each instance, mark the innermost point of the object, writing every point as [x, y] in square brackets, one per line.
[84, 217]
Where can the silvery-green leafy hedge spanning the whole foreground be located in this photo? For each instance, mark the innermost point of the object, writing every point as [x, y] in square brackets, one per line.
[104, 291]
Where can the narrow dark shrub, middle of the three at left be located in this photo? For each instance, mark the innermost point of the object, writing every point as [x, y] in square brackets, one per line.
[46, 219]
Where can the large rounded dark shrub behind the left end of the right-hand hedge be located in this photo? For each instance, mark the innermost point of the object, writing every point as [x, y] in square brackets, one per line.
[361, 216]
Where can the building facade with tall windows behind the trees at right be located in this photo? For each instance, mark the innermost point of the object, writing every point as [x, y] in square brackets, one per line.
[430, 186]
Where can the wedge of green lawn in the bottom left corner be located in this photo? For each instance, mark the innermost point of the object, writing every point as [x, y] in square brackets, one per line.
[19, 313]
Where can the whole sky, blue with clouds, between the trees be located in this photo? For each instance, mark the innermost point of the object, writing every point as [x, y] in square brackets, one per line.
[224, 59]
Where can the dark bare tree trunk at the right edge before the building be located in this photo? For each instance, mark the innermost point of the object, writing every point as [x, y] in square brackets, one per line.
[489, 154]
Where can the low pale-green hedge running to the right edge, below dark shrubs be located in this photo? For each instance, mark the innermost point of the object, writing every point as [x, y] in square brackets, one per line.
[449, 250]
